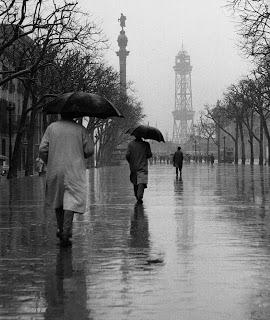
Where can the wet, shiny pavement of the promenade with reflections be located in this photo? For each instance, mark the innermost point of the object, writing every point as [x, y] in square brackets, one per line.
[198, 249]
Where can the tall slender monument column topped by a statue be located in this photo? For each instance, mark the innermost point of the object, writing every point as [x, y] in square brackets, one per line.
[122, 54]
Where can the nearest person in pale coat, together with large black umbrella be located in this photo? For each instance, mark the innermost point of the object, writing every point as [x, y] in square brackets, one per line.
[64, 147]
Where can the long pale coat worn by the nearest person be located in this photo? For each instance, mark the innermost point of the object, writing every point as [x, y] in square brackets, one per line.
[64, 147]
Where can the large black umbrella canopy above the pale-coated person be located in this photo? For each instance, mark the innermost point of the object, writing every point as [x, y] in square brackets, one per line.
[81, 104]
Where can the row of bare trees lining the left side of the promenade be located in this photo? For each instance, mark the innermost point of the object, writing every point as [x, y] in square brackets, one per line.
[52, 47]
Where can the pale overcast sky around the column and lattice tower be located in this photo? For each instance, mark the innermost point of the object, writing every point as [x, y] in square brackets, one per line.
[155, 31]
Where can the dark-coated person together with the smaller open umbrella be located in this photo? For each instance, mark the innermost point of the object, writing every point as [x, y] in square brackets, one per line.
[137, 155]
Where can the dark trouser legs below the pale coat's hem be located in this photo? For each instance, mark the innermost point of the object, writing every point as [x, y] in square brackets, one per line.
[64, 220]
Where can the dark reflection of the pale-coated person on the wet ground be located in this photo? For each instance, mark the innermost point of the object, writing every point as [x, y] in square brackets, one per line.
[65, 290]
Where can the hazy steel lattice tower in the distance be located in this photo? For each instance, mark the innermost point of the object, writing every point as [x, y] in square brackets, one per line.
[183, 113]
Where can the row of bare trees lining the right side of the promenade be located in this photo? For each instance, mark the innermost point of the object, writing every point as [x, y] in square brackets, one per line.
[243, 112]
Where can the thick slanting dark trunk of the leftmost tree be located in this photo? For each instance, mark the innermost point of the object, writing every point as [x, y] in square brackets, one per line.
[12, 173]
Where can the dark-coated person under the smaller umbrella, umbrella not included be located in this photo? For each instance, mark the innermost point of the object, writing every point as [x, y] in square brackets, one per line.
[138, 153]
